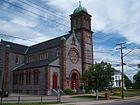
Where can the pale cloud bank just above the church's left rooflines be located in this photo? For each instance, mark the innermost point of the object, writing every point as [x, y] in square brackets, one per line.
[21, 32]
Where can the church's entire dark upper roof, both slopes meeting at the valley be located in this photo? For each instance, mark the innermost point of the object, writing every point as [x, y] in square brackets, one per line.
[21, 49]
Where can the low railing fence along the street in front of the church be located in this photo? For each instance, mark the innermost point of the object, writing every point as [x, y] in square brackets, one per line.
[19, 98]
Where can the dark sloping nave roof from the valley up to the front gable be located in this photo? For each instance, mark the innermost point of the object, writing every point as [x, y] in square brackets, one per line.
[47, 44]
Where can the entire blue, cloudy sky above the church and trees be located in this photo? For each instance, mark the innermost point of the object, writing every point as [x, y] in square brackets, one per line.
[113, 22]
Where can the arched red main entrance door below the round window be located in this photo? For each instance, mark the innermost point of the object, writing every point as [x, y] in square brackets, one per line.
[74, 81]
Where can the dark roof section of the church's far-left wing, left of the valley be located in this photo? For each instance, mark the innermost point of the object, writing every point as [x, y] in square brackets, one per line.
[15, 48]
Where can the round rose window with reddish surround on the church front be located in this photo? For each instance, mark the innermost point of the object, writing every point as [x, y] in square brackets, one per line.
[74, 56]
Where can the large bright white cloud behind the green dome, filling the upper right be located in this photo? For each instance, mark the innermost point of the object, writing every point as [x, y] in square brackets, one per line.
[109, 16]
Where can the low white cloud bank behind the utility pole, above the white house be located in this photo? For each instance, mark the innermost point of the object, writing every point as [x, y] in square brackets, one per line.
[113, 57]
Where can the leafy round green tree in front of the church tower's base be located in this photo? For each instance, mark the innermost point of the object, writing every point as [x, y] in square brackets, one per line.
[99, 75]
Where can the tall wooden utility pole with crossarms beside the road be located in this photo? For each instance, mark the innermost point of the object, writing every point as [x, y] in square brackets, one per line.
[122, 63]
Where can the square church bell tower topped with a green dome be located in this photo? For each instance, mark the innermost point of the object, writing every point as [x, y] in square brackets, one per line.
[81, 23]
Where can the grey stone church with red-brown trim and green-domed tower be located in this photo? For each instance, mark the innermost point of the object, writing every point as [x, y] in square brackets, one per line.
[59, 62]
